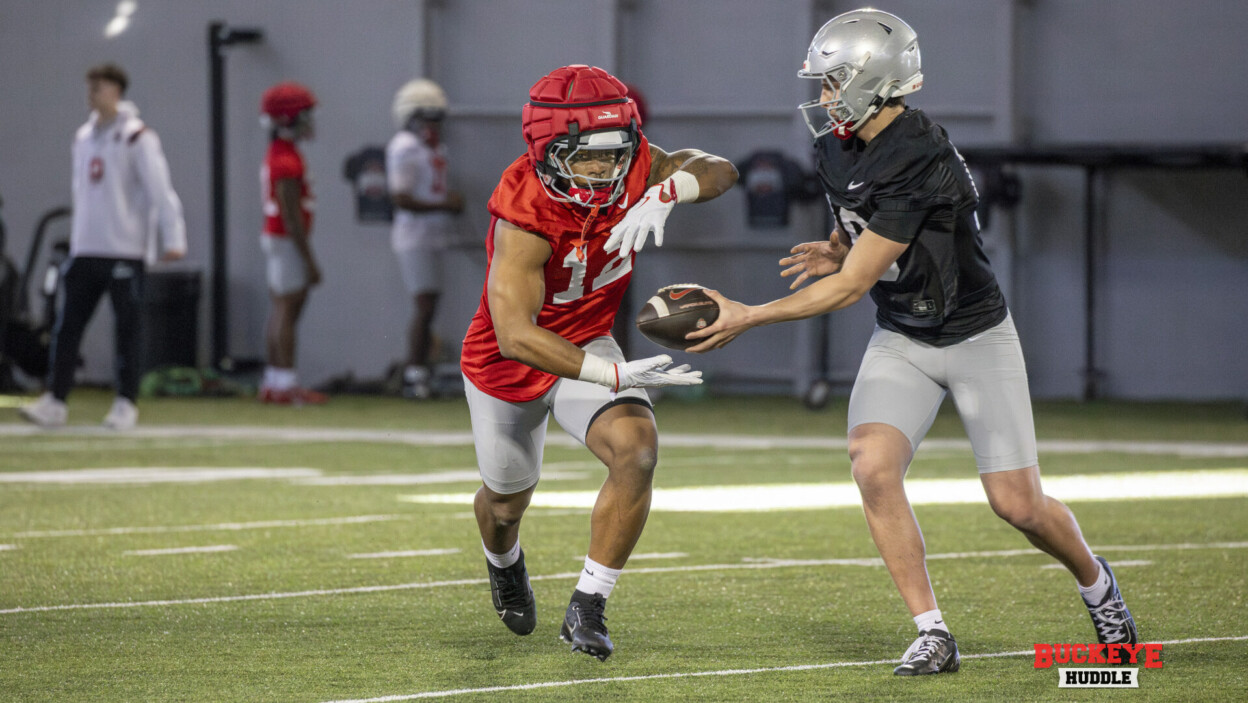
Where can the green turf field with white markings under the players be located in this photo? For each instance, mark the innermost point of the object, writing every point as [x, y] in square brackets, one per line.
[323, 574]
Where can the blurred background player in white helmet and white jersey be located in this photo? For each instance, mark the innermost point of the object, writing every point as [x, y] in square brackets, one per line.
[416, 175]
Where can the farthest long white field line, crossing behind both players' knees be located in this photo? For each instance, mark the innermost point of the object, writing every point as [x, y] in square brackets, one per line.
[445, 439]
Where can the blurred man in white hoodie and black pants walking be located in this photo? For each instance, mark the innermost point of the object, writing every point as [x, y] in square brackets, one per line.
[122, 187]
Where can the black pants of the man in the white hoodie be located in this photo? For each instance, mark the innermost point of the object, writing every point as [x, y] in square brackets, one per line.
[87, 280]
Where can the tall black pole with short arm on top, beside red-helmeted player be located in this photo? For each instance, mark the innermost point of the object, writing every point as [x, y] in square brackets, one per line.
[219, 38]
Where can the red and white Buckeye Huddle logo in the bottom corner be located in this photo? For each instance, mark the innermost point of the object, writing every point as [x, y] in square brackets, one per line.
[1113, 657]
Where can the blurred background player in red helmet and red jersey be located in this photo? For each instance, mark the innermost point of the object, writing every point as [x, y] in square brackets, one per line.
[291, 269]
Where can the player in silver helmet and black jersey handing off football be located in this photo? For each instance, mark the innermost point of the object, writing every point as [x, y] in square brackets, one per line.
[908, 234]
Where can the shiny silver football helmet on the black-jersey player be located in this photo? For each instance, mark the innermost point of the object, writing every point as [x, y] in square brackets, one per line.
[863, 59]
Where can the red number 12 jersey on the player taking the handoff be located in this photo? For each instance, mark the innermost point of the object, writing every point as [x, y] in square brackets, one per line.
[585, 284]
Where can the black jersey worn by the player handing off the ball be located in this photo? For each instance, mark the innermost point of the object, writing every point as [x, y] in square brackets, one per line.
[910, 185]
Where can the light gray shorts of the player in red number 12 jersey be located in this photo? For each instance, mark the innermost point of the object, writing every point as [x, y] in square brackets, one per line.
[510, 438]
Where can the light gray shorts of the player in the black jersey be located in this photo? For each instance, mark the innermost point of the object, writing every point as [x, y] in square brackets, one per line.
[903, 384]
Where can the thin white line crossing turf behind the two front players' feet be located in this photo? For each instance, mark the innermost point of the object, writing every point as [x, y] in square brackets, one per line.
[744, 565]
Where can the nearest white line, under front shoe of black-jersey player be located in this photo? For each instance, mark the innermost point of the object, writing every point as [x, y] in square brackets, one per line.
[717, 674]
